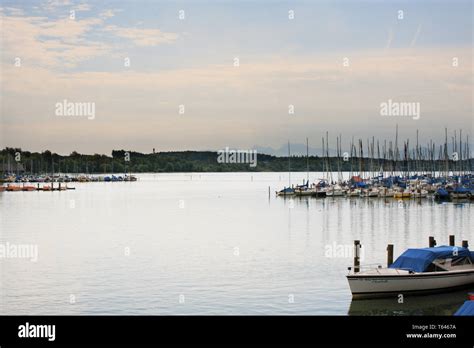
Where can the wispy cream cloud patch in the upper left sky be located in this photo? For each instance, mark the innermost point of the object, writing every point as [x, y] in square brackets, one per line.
[63, 42]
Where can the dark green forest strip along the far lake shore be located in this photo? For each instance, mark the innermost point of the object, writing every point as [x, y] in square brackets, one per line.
[15, 160]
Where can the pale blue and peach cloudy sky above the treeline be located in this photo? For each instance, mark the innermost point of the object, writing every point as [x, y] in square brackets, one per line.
[235, 68]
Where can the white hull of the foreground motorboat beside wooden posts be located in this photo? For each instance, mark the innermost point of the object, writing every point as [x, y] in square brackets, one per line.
[372, 285]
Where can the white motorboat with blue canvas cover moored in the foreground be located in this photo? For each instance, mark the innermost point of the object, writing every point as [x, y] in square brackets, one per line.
[416, 271]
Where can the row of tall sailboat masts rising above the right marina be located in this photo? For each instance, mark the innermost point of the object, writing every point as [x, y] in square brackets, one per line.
[376, 158]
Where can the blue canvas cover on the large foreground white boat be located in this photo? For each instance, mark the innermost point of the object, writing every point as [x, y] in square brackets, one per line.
[418, 260]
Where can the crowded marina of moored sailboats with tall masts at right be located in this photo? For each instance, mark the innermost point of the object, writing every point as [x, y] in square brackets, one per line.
[385, 172]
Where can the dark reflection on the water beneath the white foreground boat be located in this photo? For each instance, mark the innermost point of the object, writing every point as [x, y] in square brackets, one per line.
[436, 304]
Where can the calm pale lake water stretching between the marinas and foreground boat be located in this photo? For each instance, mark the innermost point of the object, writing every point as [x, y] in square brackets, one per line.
[209, 244]
